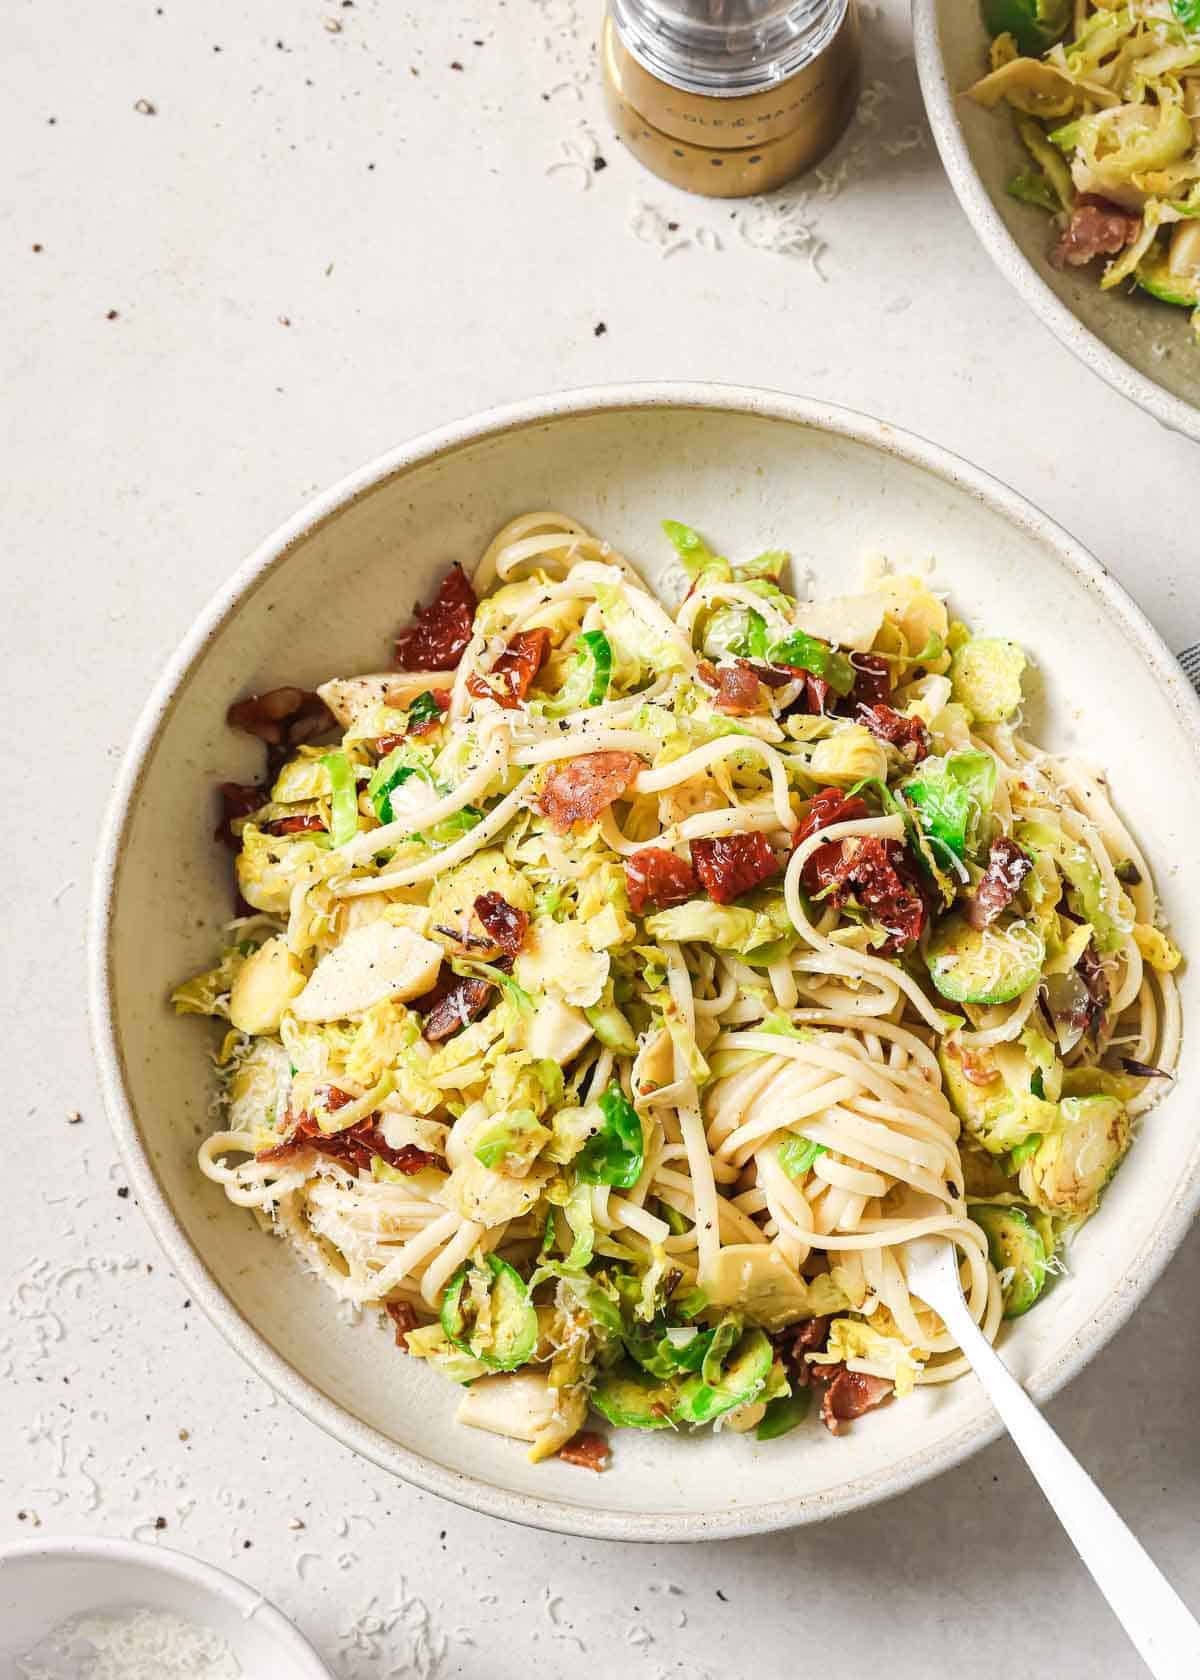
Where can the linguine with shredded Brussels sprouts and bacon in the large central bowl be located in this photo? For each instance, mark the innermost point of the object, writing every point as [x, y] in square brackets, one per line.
[616, 990]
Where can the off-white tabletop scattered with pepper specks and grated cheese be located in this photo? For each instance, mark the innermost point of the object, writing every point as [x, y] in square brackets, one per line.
[246, 248]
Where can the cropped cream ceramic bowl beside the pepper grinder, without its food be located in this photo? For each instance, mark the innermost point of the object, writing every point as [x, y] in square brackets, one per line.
[1144, 349]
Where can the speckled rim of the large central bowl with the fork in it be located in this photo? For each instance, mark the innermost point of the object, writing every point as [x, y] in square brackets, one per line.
[475, 1493]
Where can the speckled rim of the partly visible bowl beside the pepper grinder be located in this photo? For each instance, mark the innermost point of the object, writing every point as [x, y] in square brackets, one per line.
[1171, 411]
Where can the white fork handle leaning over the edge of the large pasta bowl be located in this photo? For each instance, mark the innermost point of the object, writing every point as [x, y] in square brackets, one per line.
[1144, 1602]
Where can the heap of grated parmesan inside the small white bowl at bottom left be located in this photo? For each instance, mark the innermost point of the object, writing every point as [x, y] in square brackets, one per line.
[130, 1646]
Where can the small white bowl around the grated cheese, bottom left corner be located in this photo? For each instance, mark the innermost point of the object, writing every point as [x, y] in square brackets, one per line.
[48, 1583]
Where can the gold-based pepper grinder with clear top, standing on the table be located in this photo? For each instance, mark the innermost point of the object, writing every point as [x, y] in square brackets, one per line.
[730, 98]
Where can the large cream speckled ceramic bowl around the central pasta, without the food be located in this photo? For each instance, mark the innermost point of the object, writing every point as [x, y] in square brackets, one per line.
[324, 596]
